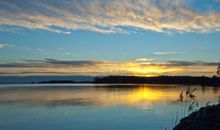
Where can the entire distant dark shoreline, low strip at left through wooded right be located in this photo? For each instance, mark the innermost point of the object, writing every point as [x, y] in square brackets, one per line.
[168, 80]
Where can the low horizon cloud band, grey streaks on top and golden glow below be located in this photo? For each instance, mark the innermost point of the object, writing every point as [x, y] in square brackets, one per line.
[137, 67]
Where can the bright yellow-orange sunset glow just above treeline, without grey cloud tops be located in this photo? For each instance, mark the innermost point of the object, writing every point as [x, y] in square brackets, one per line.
[138, 67]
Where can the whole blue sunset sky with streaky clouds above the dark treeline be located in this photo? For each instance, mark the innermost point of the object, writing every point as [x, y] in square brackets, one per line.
[109, 37]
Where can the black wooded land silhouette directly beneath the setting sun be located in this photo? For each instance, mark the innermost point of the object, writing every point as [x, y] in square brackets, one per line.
[183, 80]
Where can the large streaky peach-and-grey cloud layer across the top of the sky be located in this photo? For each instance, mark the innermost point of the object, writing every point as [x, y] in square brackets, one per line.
[109, 16]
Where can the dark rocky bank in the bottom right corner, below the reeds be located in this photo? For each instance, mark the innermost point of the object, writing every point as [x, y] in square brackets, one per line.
[206, 118]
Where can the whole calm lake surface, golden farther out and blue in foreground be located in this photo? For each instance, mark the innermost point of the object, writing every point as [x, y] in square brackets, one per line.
[95, 107]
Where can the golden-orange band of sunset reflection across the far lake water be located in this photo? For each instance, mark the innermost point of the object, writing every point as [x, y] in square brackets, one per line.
[137, 96]
